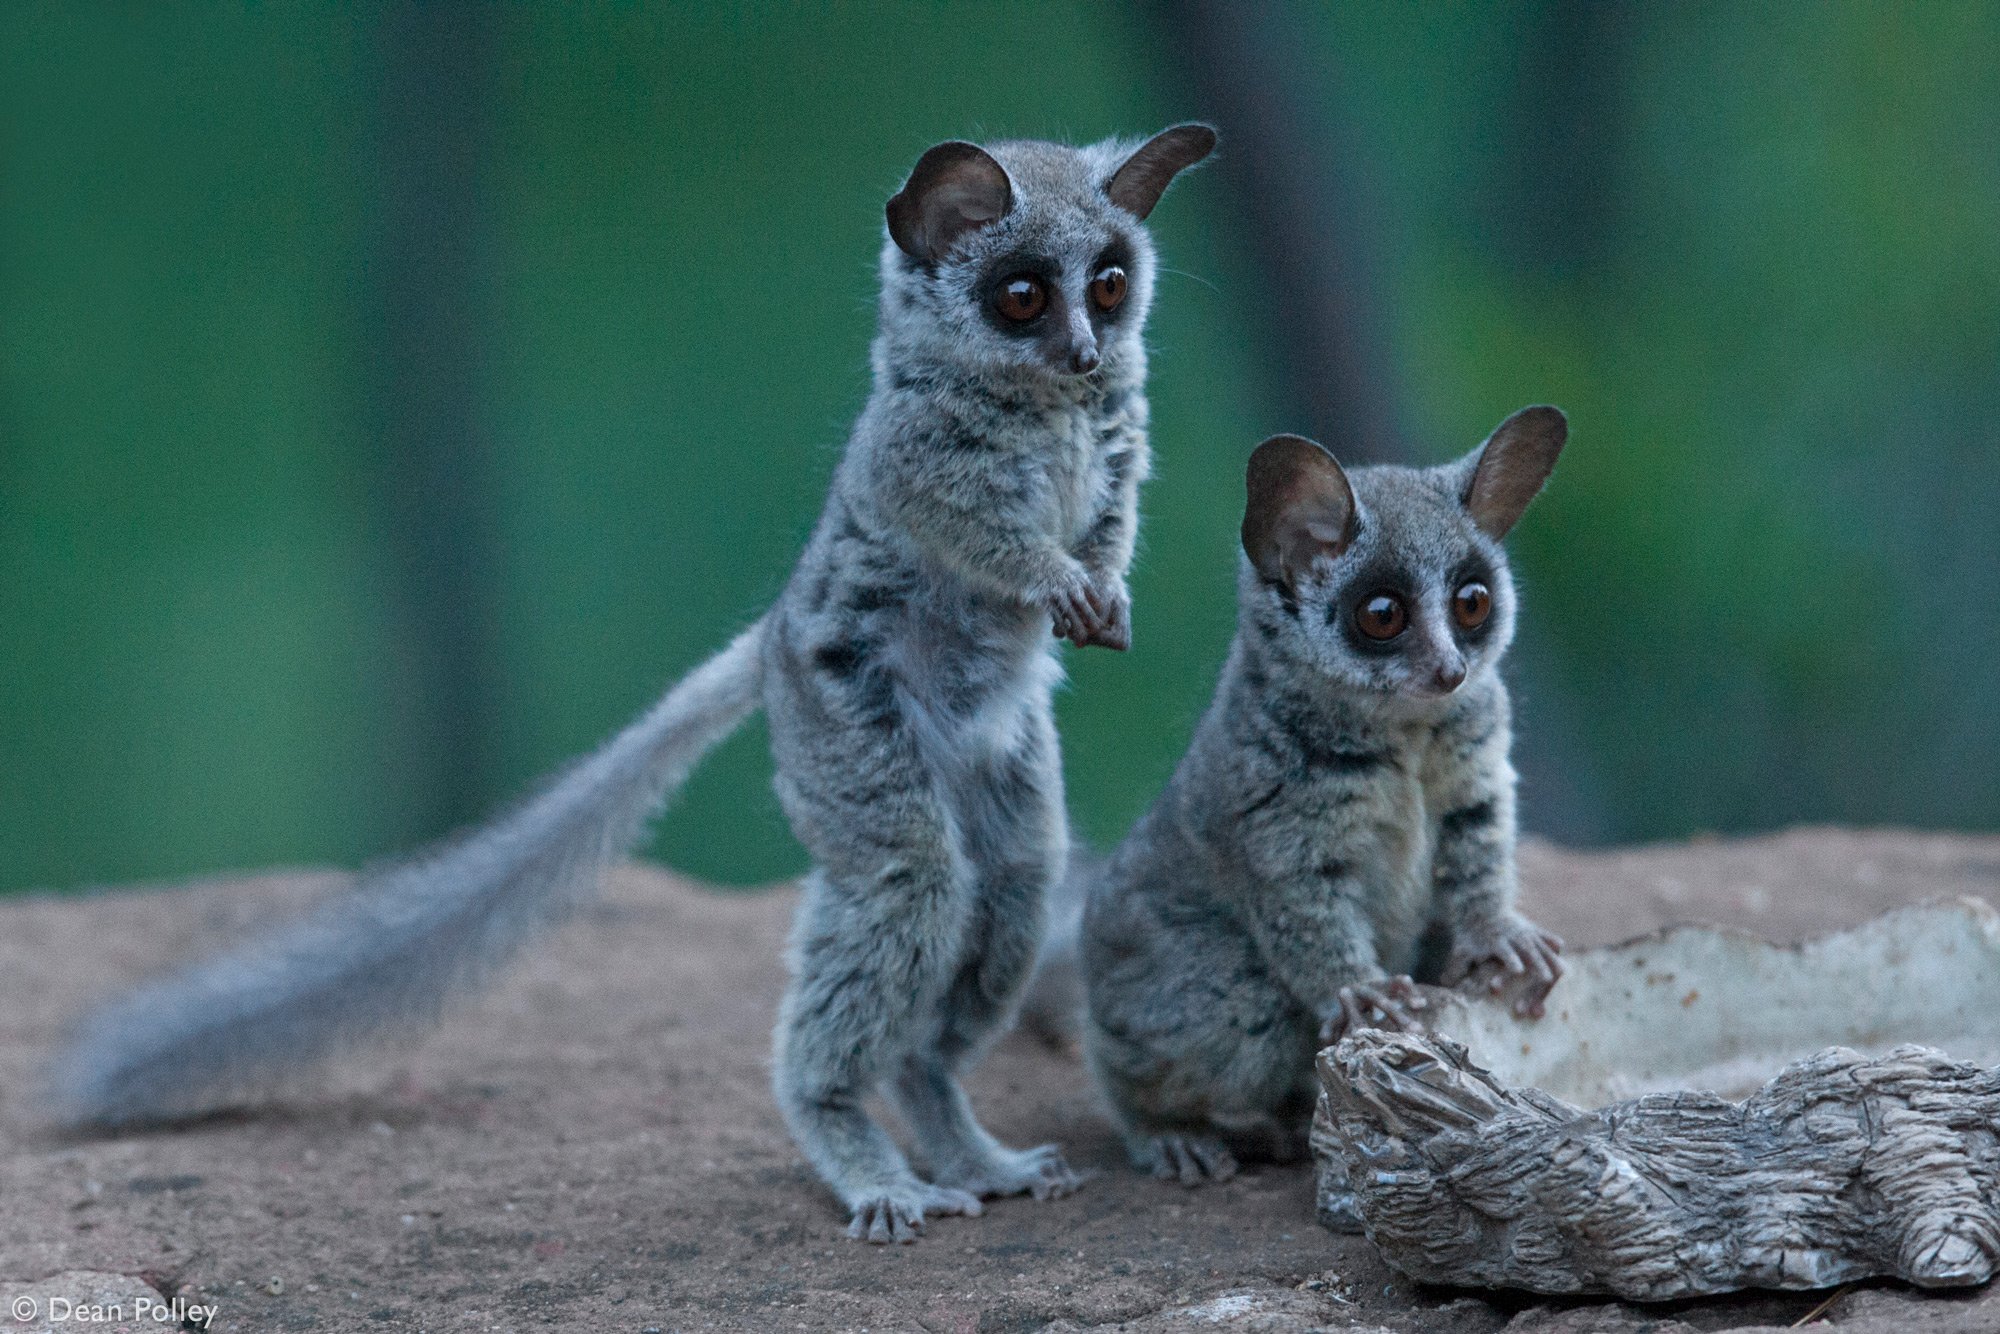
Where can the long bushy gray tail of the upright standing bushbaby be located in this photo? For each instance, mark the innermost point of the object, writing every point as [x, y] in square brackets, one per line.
[407, 939]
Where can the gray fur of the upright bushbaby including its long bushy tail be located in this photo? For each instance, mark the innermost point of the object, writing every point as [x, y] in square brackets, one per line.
[907, 671]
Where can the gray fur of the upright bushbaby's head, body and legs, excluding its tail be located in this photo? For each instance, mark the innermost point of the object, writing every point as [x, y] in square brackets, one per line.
[909, 689]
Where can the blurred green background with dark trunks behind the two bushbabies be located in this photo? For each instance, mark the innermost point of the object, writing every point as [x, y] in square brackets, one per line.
[395, 401]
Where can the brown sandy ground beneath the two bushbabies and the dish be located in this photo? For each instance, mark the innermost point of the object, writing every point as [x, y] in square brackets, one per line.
[593, 1147]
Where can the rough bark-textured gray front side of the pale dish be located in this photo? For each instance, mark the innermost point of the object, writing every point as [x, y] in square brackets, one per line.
[1843, 1167]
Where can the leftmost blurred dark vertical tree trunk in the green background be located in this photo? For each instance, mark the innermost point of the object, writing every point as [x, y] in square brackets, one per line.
[425, 313]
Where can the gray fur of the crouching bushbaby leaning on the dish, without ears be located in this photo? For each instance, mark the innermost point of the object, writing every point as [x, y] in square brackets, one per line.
[1335, 823]
